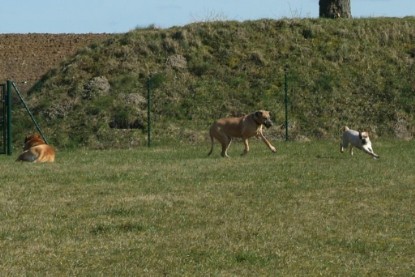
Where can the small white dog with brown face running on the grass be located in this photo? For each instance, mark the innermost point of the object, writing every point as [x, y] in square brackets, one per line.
[357, 139]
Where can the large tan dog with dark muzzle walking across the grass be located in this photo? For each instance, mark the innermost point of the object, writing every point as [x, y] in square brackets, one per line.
[244, 127]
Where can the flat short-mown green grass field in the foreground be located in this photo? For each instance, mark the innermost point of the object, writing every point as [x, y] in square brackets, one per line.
[173, 211]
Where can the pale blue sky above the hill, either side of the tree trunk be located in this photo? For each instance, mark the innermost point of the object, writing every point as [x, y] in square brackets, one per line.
[118, 16]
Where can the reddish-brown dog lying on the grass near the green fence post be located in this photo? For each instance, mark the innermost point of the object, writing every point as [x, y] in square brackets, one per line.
[36, 150]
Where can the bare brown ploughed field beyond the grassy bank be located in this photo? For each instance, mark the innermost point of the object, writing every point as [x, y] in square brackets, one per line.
[25, 58]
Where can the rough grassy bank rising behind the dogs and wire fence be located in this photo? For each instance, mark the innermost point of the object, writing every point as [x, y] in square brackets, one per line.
[356, 72]
